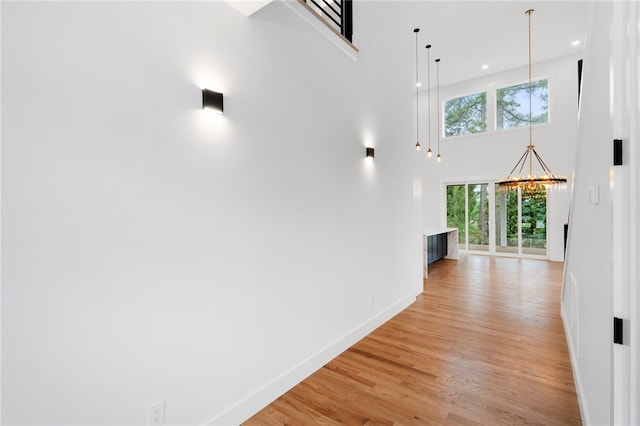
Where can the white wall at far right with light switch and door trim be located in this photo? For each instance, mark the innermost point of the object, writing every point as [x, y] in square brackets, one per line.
[602, 255]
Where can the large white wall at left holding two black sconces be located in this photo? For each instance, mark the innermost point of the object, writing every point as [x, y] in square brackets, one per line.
[154, 251]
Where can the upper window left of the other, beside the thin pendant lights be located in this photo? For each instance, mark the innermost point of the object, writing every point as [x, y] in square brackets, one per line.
[465, 115]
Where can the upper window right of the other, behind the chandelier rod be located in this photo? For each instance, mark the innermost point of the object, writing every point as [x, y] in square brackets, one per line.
[512, 104]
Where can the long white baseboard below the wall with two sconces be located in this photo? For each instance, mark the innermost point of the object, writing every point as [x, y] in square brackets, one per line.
[266, 394]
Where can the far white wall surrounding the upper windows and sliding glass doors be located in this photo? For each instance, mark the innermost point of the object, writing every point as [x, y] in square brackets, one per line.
[491, 155]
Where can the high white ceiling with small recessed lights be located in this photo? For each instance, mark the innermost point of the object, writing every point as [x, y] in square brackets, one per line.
[469, 34]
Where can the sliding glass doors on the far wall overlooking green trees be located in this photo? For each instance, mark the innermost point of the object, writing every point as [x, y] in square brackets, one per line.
[495, 222]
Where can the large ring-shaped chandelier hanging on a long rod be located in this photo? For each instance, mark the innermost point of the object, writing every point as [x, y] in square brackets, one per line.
[531, 183]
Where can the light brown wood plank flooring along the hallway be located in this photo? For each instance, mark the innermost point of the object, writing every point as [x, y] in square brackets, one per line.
[483, 345]
